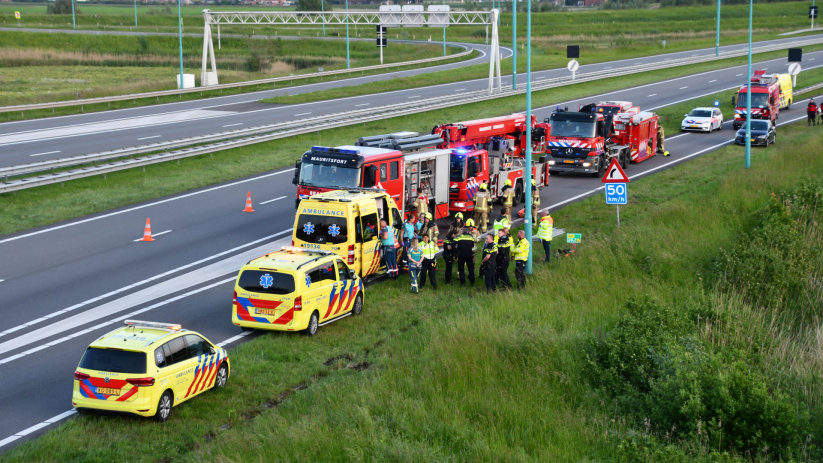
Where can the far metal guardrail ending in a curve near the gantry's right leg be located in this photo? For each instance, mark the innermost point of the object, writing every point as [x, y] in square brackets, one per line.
[137, 96]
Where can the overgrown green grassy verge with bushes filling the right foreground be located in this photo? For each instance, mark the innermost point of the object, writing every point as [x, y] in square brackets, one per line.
[546, 374]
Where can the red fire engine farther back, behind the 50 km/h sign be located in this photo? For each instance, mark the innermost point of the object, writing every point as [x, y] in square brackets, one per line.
[587, 141]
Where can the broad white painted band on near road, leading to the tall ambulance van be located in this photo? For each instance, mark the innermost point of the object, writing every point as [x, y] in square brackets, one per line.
[179, 283]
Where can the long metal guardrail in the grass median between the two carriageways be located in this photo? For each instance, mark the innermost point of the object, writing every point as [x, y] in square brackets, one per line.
[285, 129]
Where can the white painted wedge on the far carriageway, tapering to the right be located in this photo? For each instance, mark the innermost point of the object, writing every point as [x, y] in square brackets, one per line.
[109, 126]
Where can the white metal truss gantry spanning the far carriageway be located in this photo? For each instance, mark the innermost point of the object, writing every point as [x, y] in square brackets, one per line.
[434, 17]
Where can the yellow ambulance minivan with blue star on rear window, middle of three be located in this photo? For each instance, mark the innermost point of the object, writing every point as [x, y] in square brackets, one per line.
[295, 289]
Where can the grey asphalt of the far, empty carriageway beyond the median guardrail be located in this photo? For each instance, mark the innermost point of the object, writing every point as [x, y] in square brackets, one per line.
[53, 138]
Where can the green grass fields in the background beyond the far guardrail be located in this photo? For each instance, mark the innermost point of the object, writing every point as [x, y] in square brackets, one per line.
[602, 35]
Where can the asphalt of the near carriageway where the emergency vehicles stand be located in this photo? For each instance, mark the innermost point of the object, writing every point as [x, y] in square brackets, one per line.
[63, 286]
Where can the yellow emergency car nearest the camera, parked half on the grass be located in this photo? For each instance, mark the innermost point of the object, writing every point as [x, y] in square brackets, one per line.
[146, 368]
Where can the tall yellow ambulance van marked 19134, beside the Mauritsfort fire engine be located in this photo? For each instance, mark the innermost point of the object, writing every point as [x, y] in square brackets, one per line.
[347, 223]
